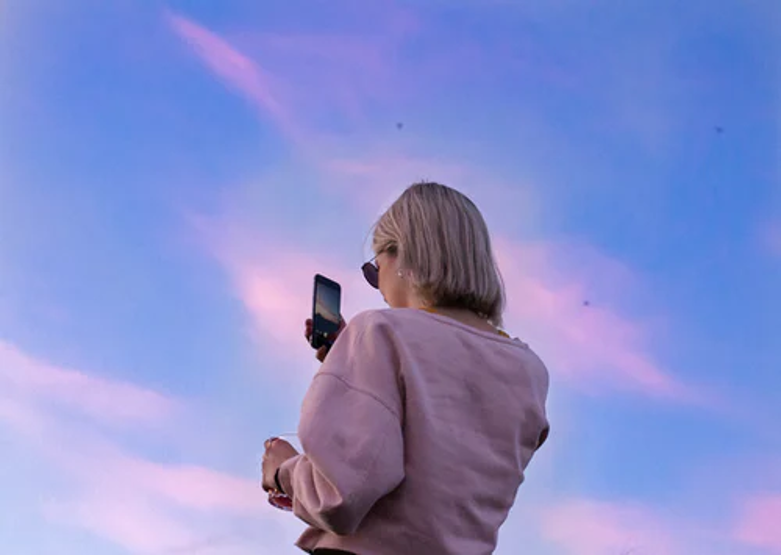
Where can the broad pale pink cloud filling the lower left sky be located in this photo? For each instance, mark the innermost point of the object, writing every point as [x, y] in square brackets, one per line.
[113, 490]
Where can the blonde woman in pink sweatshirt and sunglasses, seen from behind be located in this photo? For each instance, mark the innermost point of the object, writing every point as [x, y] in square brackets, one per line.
[420, 423]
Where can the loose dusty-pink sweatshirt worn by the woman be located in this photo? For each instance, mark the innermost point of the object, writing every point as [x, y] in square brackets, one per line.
[416, 432]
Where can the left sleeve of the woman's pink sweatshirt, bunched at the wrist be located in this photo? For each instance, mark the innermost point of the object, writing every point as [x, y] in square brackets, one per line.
[350, 430]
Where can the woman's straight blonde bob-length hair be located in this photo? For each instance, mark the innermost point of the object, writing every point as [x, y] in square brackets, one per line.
[442, 241]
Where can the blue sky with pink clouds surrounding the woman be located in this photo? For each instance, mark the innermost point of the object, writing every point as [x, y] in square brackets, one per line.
[173, 174]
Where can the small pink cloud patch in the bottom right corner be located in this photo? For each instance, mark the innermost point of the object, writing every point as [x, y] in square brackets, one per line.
[759, 522]
